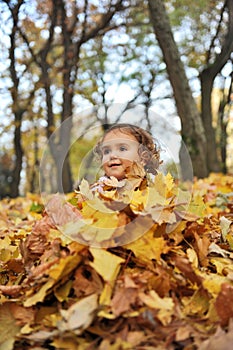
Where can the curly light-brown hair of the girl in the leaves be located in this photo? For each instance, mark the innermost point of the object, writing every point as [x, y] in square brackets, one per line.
[149, 151]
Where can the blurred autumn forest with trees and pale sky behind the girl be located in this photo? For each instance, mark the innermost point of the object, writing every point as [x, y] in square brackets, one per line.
[69, 68]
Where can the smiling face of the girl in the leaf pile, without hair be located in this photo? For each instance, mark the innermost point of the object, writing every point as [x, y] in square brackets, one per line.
[119, 151]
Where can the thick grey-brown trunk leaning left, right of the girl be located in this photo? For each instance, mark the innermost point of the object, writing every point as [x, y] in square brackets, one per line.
[192, 131]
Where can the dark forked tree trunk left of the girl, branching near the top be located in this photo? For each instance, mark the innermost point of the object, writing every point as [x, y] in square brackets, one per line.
[72, 40]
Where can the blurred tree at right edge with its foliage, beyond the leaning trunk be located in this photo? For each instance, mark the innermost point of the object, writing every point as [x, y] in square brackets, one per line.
[206, 46]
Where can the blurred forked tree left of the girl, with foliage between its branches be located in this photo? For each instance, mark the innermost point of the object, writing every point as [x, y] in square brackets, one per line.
[69, 26]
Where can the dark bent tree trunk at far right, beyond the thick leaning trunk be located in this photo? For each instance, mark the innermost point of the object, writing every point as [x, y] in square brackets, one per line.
[217, 56]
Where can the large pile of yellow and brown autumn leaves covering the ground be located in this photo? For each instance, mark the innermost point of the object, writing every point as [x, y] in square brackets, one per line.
[132, 267]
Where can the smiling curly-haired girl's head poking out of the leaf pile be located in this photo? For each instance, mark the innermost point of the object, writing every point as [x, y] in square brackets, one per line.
[123, 146]
